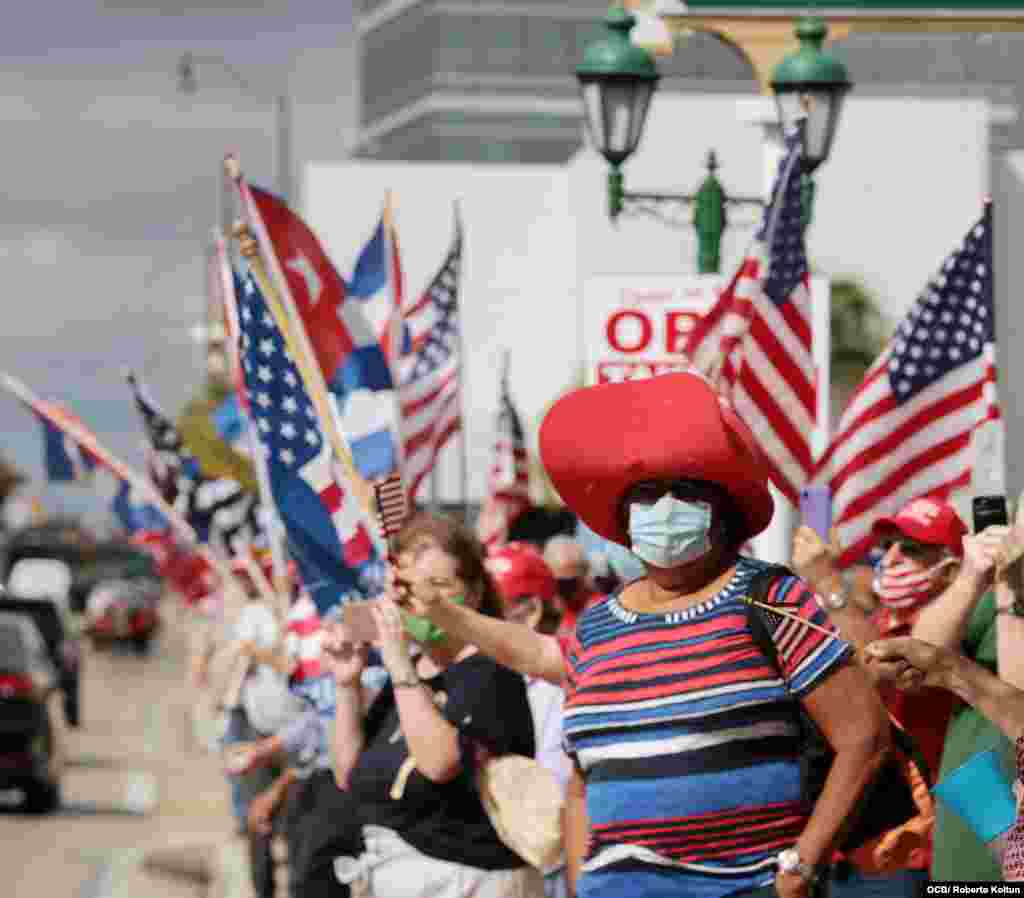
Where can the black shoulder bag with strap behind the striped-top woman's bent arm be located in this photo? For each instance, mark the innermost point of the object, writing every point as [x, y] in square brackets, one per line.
[888, 801]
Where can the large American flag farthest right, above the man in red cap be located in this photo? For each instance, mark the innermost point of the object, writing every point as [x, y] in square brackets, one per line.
[907, 432]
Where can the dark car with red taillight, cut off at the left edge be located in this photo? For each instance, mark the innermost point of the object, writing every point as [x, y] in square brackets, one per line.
[32, 757]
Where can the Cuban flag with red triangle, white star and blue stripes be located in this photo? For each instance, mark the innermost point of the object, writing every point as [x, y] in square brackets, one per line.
[348, 344]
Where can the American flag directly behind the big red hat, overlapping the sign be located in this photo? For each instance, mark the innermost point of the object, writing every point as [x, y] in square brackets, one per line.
[756, 343]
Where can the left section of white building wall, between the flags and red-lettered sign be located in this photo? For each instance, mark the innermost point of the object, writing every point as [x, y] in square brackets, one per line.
[519, 275]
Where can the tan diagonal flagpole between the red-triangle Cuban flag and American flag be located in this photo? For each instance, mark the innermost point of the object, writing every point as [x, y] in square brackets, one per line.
[297, 341]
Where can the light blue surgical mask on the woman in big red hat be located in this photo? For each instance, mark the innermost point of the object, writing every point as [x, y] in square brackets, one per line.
[671, 532]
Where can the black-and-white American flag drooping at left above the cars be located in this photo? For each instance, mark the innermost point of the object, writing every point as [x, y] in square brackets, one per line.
[220, 509]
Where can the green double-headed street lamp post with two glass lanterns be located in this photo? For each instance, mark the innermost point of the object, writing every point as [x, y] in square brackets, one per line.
[618, 80]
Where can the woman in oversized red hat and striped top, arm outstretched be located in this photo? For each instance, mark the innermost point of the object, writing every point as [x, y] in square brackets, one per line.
[688, 758]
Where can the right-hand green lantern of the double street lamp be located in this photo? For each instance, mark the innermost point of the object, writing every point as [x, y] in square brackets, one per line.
[810, 87]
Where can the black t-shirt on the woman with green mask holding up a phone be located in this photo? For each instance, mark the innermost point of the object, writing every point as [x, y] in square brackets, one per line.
[488, 704]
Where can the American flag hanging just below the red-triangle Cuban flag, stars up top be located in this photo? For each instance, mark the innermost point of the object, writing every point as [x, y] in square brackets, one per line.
[336, 558]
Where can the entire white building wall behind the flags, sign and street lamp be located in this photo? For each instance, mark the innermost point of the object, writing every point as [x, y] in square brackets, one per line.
[906, 181]
